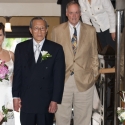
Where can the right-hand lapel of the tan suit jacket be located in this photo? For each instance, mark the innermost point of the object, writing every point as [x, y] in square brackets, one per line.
[82, 38]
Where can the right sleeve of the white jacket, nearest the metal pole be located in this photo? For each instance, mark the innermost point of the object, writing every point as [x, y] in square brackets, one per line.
[111, 14]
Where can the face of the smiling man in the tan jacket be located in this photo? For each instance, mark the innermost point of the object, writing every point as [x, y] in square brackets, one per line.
[73, 14]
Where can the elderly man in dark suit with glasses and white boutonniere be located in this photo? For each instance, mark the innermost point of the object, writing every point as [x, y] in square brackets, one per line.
[39, 73]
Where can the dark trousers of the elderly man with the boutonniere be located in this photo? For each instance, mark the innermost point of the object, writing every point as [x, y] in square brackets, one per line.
[36, 119]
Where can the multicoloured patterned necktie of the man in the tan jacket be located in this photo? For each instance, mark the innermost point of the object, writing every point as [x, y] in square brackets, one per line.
[74, 41]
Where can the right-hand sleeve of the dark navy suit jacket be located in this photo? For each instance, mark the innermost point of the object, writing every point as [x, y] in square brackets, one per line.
[59, 76]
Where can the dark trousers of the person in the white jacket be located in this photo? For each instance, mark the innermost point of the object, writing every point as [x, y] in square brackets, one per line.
[106, 39]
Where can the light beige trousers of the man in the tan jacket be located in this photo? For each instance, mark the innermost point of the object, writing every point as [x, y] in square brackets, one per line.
[81, 102]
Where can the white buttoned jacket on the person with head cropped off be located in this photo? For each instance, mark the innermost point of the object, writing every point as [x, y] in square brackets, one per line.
[101, 13]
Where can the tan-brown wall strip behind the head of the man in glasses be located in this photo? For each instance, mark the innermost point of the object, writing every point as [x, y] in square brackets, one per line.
[24, 21]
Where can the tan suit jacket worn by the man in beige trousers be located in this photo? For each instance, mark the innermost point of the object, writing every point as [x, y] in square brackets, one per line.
[85, 62]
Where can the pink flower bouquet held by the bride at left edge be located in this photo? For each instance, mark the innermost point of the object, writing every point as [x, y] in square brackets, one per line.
[3, 71]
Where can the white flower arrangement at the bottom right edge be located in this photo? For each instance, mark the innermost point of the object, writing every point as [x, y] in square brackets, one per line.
[121, 110]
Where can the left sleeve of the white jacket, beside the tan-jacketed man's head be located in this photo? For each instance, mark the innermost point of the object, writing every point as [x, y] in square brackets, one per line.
[85, 17]
